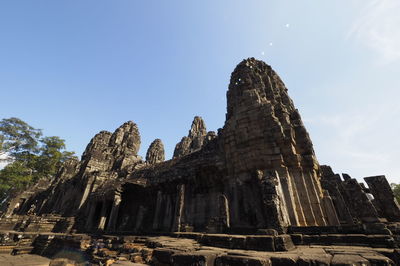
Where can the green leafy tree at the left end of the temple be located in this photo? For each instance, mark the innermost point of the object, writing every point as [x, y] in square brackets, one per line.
[30, 156]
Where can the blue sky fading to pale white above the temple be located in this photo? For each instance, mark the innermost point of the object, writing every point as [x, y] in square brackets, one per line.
[76, 67]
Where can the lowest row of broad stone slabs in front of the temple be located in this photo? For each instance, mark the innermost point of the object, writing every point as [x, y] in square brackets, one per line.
[163, 256]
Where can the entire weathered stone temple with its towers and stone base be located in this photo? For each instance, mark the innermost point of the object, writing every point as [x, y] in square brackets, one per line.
[252, 193]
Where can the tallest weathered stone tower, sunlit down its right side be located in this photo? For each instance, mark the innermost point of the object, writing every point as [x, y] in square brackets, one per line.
[264, 131]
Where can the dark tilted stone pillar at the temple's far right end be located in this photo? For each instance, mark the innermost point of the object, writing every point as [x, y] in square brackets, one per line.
[384, 197]
